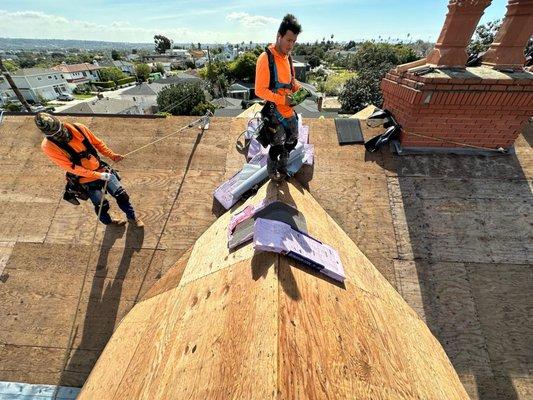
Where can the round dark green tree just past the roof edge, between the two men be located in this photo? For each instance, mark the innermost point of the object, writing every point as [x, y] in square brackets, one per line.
[180, 99]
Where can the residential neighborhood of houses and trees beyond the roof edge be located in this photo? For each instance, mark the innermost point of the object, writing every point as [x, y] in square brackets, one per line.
[113, 82]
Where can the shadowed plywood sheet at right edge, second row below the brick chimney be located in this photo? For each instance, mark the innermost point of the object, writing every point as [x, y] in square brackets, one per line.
[463, 220]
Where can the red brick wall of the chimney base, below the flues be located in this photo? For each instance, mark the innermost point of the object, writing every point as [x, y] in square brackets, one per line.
[474, 111]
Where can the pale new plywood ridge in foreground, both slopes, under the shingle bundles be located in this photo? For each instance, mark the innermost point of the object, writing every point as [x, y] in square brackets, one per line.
[248, 325]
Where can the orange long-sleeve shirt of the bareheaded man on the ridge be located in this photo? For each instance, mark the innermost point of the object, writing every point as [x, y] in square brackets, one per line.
[262, 80]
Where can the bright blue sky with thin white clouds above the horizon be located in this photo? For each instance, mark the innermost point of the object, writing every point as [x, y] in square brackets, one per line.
[225, 21]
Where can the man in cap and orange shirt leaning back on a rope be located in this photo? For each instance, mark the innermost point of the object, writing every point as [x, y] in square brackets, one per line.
[74, 148]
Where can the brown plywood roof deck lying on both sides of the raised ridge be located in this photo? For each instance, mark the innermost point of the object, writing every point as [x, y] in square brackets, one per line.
[452, 234]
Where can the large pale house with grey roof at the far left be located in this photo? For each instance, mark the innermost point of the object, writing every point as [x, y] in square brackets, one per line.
[36, 83]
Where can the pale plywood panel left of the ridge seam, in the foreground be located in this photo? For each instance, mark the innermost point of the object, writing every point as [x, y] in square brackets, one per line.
[196, 328]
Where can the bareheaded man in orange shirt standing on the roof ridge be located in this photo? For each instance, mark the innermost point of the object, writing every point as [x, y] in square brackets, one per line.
[275, 83]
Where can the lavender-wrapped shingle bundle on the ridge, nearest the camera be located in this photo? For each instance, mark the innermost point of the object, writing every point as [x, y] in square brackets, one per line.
[279, 237]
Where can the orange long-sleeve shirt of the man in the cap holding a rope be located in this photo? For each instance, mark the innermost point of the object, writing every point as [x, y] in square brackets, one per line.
[88, 171]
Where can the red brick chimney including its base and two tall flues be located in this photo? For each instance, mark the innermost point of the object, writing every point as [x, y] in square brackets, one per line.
[444, 105]
